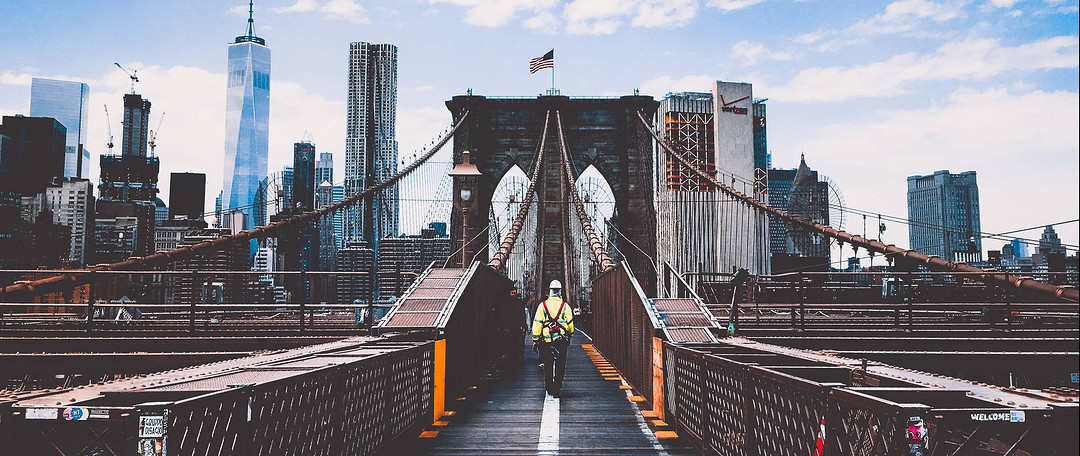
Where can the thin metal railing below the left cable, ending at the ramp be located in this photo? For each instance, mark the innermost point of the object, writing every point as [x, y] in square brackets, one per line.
[246, 304]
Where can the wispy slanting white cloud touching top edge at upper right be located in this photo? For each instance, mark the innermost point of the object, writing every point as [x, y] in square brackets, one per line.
[899, 17]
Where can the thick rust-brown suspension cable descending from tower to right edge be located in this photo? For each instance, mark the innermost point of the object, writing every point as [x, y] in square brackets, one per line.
[933, 262]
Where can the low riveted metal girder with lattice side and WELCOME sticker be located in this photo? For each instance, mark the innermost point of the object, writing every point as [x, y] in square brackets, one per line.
[731, 400]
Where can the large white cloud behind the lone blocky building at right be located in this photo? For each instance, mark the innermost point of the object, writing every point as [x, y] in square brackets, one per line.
[1021, 145]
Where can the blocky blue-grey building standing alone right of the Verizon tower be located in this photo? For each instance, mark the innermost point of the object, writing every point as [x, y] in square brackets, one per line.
[943, 210]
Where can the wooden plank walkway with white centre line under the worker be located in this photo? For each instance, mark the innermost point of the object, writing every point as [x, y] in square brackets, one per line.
[509, 414]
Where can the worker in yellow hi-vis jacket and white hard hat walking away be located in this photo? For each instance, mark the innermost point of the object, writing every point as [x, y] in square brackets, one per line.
[552, 330]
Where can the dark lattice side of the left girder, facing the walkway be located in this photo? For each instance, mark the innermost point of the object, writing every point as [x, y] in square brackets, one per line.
[352, 409]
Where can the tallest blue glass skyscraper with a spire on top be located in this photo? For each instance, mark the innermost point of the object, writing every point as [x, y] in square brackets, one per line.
[247, 126]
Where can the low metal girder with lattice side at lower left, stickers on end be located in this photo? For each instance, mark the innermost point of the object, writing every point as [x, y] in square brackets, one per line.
[291, 406]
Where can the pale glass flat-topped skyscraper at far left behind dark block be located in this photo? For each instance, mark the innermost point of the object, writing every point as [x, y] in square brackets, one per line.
[69, 103]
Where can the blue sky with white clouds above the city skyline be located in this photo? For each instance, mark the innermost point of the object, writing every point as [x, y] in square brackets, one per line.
[872, 92]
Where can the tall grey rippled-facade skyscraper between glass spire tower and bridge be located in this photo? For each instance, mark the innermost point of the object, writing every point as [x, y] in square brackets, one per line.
[371, 154]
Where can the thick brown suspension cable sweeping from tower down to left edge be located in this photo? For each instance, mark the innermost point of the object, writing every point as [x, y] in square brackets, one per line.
[64, 281]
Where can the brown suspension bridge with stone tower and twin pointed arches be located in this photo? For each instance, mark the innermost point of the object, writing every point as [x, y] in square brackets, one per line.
[931, 357]
